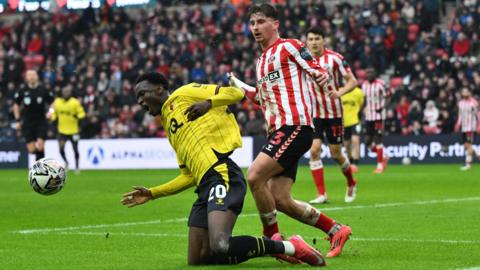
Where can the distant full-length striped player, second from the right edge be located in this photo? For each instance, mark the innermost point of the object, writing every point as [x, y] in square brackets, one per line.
[376, 94]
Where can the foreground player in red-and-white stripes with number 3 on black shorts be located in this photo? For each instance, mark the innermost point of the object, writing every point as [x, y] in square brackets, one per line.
[282, 72]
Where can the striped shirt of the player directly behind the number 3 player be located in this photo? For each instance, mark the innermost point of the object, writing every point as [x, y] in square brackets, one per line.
[323, 105]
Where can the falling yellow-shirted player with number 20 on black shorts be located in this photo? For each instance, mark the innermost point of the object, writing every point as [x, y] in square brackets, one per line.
[203, 133]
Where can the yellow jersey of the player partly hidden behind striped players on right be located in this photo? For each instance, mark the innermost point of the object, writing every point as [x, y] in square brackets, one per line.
[352, 104]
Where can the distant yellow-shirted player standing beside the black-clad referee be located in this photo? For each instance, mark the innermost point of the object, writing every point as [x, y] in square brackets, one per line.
[68, 111]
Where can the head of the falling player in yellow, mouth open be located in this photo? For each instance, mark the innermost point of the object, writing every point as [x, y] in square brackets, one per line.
[151, 97]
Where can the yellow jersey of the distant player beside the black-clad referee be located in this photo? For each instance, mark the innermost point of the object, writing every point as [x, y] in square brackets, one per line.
[68, 112]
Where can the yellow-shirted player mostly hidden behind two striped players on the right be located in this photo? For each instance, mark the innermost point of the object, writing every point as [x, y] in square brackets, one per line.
[352, 104]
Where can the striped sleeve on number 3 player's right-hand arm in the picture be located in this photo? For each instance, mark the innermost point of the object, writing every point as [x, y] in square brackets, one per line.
[302, 56]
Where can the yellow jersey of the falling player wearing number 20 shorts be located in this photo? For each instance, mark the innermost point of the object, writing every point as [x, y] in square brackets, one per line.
[198, 143]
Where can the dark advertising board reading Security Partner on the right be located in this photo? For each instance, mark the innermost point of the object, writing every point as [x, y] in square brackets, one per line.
[419, 149]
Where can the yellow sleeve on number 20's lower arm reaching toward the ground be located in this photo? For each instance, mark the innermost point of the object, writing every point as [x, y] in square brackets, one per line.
[184, 181]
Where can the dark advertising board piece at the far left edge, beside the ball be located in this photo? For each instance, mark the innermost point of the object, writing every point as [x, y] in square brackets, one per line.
[13, 155]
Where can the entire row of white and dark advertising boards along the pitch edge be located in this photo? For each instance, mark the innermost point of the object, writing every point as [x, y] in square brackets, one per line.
[156, 153]
